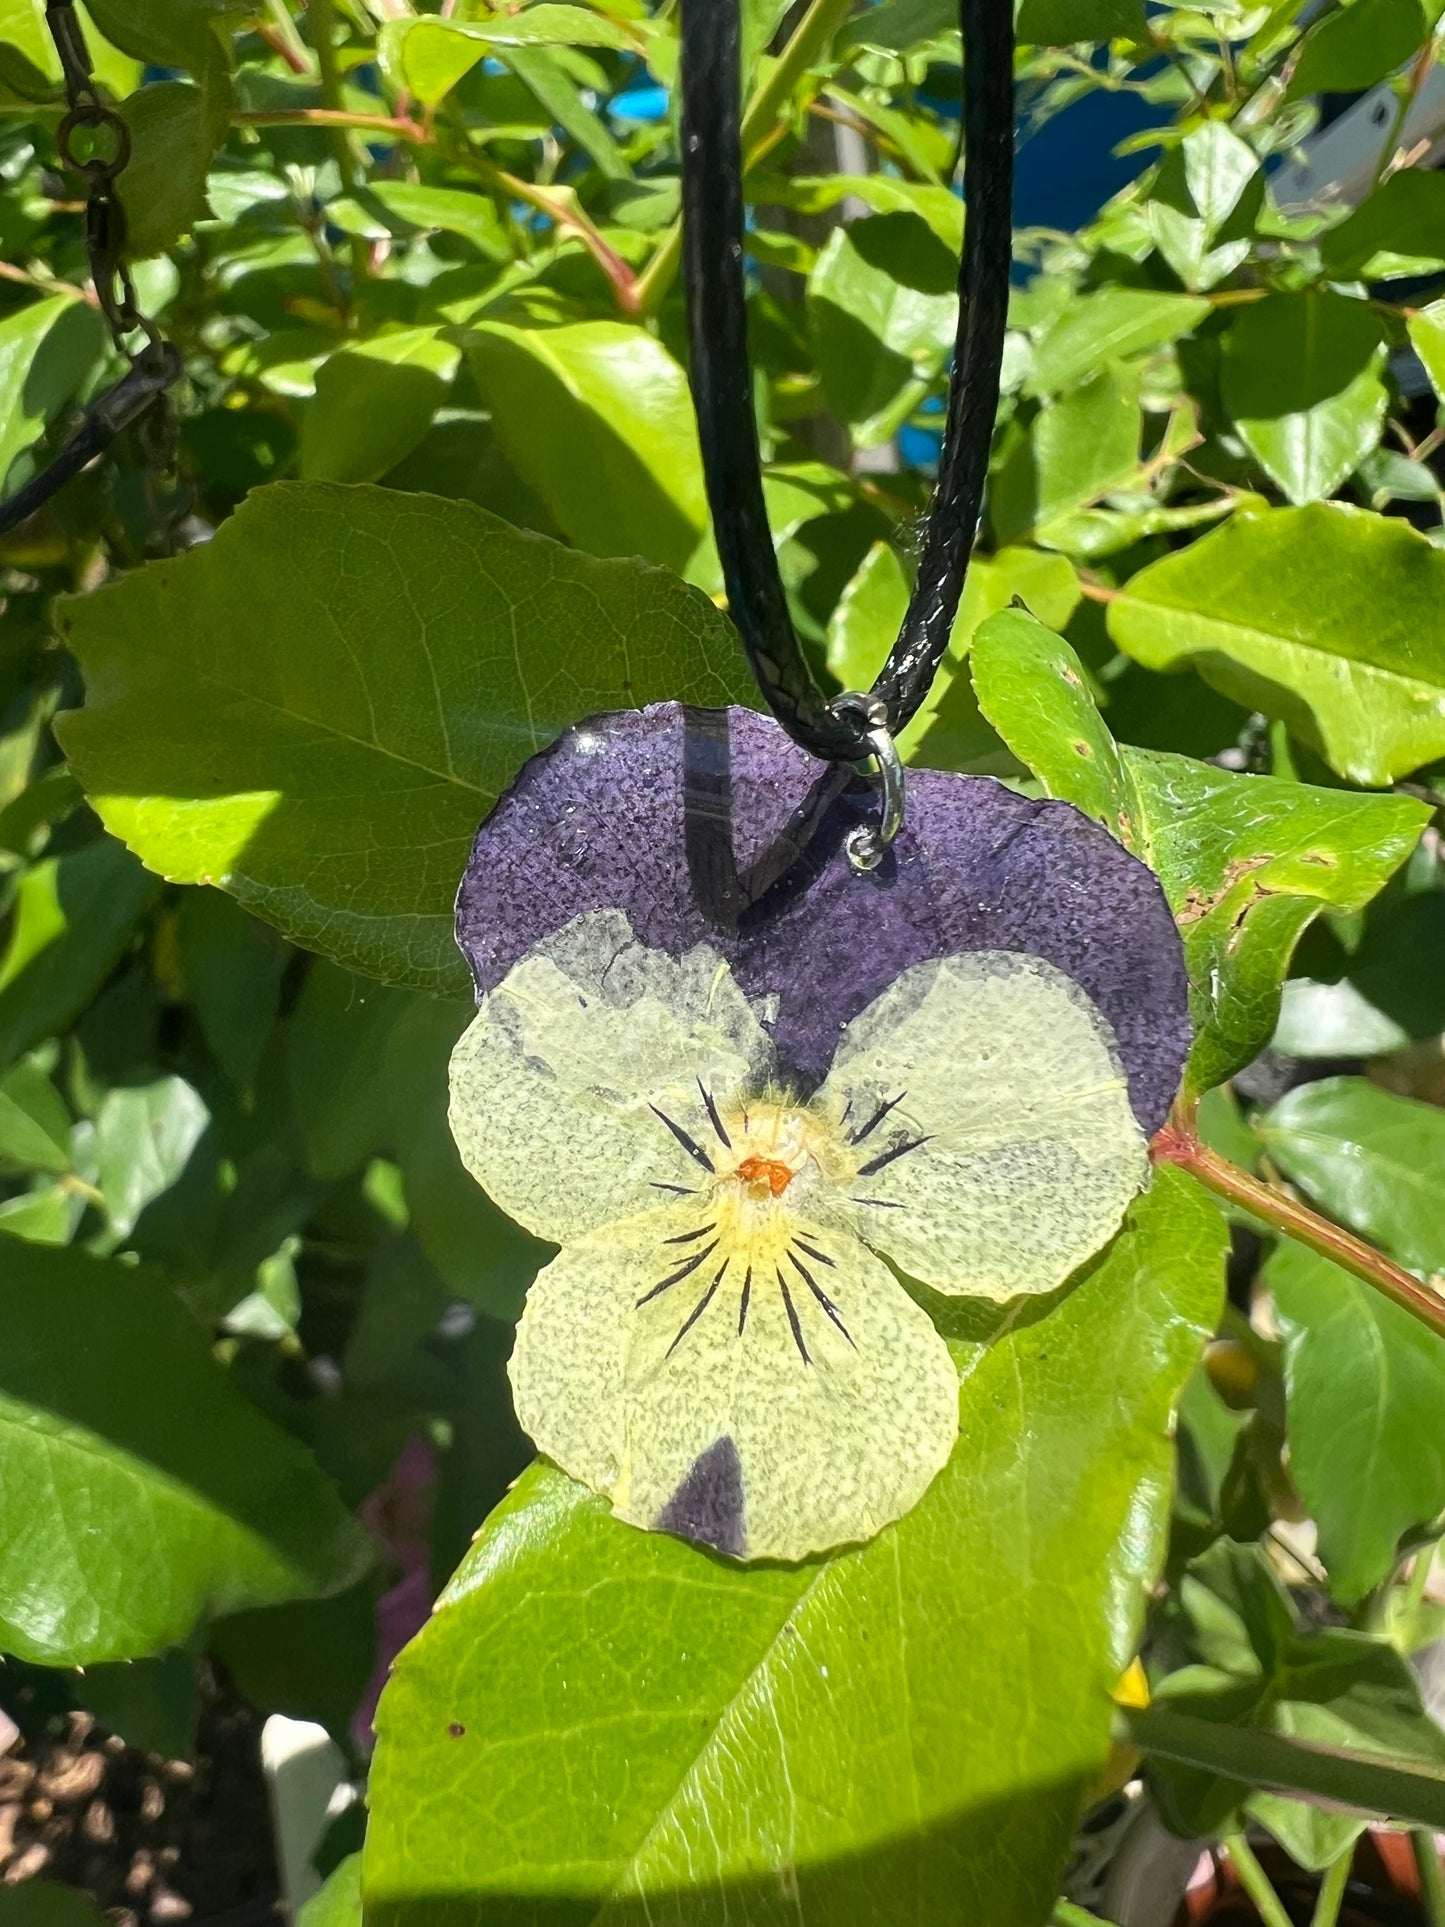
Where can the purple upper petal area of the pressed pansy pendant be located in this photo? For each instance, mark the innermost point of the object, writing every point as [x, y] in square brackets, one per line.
[710, 826]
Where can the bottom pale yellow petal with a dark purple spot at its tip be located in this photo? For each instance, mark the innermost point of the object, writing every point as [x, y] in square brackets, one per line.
[741, 1406]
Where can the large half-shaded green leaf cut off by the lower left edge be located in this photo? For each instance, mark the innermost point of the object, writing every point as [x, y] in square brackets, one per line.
[134, 1439]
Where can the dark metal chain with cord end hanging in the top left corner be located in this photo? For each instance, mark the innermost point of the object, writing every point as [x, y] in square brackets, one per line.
[155, 365]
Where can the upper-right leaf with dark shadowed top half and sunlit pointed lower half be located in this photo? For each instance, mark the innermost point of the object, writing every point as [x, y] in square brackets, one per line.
[1301, 381]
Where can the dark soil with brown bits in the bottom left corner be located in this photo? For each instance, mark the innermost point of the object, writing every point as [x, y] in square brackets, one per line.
[153, 1841]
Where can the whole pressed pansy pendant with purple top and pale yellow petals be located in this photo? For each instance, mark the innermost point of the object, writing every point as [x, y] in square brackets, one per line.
[731, 1078]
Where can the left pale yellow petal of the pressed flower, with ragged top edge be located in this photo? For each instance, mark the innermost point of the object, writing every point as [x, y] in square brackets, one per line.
[581, 1094]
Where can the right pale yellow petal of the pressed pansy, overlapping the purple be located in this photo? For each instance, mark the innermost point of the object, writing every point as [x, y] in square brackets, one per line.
[993, 1128]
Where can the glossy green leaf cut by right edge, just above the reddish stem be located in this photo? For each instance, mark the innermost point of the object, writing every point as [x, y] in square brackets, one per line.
[1371, 1159]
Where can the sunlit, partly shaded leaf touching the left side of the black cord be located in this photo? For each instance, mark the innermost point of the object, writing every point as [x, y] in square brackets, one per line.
[598, 419]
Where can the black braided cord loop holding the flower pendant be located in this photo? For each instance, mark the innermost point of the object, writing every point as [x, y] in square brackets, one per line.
[722, 373]
